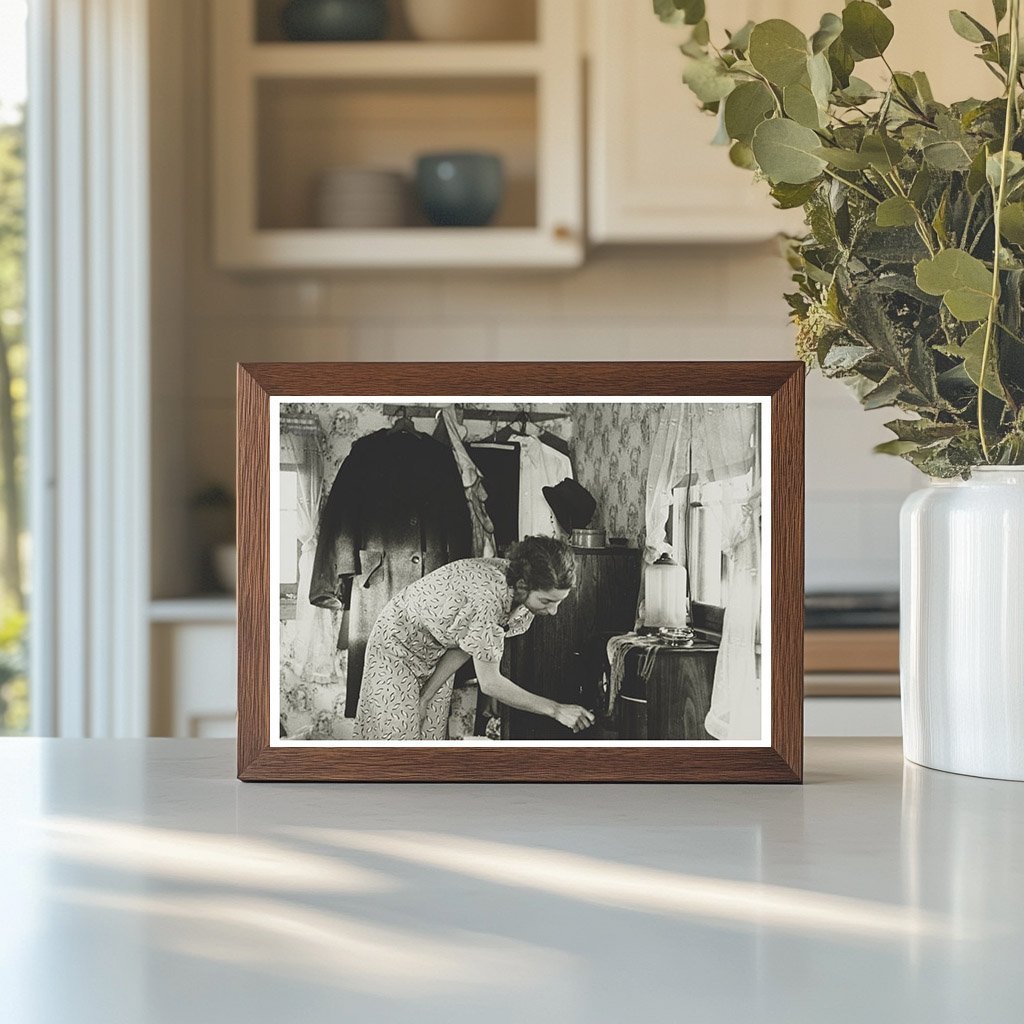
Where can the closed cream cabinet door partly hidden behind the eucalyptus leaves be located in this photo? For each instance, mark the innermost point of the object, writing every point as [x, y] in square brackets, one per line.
[653, 175]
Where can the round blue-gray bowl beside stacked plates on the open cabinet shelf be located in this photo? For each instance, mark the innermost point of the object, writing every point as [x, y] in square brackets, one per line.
[460, 190]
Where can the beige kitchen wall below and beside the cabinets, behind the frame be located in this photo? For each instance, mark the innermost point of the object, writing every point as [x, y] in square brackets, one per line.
[666, 304]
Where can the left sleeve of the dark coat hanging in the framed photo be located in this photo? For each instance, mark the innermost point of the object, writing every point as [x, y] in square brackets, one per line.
[337, 558]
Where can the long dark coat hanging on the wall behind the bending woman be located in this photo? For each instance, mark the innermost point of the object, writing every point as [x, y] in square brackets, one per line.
[397, 511]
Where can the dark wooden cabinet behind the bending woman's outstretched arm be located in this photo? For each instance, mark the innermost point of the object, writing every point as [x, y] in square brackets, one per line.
[561, 657]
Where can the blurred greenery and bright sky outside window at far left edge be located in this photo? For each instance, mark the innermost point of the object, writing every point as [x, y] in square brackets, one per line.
[14, 366]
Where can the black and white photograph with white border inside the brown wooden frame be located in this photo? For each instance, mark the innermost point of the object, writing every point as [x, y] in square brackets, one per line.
[520, 571]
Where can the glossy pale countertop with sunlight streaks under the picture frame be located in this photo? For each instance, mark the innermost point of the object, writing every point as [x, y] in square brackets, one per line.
[144, 885]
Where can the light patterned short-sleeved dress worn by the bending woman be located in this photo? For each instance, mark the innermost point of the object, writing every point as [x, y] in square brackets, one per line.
[465, 605]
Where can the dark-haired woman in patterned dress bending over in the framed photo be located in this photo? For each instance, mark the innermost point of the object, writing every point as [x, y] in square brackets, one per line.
[462, 611]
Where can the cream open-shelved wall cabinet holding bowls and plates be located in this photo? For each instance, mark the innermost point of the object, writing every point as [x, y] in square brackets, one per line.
[287, 113]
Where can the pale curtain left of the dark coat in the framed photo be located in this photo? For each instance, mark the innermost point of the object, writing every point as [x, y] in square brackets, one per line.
[317, 658]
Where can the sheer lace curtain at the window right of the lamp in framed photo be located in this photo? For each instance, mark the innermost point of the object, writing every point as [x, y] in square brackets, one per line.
[701, 443]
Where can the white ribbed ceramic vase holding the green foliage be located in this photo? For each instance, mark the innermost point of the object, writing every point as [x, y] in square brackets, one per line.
[962, 624]
